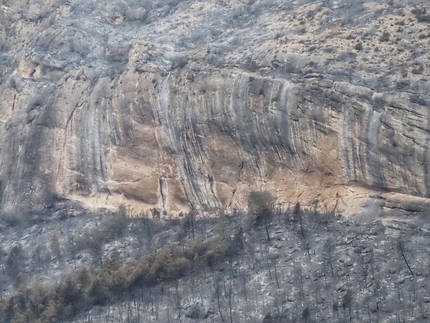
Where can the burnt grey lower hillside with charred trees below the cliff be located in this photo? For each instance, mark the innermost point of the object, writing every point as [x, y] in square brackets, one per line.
[298, 266]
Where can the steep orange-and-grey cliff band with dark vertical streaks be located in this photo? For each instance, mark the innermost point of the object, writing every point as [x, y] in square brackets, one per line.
[207, 143]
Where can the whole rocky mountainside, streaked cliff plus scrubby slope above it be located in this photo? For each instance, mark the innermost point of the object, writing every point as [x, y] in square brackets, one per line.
[177, 105]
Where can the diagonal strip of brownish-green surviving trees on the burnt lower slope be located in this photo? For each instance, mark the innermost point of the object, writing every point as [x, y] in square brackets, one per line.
[82, 289]
